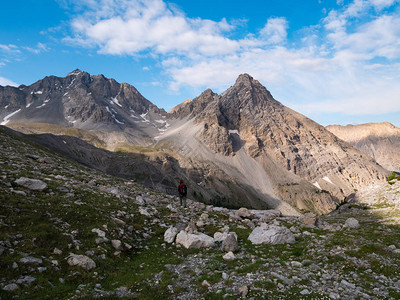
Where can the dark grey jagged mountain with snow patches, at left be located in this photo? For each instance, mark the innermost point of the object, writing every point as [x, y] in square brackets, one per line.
[83, 101]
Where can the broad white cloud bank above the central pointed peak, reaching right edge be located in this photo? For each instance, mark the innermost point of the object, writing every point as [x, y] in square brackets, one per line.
[349, 62]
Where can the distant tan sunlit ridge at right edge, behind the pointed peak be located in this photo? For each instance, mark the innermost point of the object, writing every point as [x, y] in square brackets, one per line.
[381, 141]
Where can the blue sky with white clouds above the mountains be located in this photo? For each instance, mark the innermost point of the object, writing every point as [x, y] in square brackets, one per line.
[336, 61]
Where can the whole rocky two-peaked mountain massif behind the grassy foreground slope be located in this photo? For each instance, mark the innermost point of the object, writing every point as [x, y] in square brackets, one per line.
[238, 148]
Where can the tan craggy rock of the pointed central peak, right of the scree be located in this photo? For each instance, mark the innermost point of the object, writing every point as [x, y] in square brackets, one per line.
[293, 150]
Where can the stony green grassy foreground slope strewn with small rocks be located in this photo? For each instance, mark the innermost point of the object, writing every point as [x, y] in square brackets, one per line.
[119, 228]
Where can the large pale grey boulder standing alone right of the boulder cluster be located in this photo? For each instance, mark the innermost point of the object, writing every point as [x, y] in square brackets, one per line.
[271, 234]
